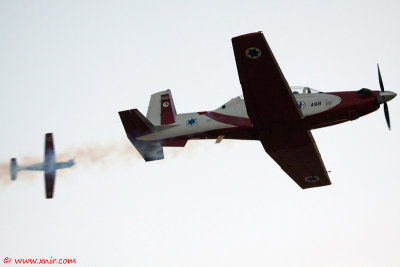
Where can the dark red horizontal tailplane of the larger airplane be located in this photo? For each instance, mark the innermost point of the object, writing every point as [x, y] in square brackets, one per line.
[136, 125]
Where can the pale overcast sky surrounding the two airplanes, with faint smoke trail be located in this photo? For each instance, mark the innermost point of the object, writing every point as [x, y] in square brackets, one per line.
[68, 67]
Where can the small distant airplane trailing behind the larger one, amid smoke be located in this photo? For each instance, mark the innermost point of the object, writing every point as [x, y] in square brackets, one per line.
[49, 166]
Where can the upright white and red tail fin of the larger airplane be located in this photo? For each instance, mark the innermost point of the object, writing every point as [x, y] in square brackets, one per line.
[161, 109]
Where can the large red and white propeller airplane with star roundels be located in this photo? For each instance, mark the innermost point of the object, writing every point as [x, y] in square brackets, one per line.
[271, 111]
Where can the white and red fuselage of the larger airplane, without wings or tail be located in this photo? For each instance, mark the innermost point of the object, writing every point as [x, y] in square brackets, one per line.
[231, 120]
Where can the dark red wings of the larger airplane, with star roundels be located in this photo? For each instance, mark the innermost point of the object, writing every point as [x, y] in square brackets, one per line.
[274, 112]
